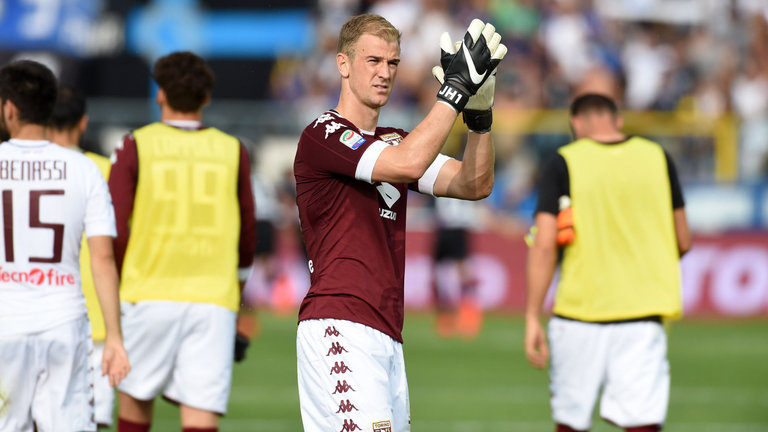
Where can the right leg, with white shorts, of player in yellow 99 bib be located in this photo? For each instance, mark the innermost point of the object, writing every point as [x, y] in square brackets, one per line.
[202, 378]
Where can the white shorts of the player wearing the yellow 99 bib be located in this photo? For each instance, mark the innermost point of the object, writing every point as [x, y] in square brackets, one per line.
[184, 350]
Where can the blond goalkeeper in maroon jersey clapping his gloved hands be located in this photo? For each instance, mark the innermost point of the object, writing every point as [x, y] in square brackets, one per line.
[352, 181]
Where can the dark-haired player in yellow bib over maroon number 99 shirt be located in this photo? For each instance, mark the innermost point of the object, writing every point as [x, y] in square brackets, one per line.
[186, 236]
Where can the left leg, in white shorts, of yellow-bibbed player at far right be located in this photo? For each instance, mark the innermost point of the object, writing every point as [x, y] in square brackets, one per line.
[577, 368]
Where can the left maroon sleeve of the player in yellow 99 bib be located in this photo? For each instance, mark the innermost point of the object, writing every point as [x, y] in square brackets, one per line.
[122, 186]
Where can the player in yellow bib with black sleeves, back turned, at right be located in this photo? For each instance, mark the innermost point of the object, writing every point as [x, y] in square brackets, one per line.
[620, 273]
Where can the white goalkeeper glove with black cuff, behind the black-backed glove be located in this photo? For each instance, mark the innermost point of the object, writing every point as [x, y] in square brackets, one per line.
[477, 112]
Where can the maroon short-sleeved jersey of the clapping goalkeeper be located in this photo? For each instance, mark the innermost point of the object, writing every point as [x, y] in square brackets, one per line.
[354, 230]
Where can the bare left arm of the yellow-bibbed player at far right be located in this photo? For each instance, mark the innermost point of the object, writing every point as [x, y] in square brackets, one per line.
[540, 268]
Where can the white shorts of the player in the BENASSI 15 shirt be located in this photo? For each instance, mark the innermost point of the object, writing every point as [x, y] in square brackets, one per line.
[46, 378]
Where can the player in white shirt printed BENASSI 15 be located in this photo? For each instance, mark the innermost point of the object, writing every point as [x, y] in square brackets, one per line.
[49, 195]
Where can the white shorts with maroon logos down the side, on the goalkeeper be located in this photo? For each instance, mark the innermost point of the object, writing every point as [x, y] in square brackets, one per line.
[351, 377]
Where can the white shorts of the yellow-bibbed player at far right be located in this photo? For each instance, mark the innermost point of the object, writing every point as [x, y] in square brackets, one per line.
[628, 361]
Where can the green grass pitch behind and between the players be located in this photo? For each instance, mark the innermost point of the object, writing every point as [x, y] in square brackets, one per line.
[719, 380]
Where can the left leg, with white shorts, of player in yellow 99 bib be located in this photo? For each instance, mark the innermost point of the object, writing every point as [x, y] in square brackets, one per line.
[151, 332]
